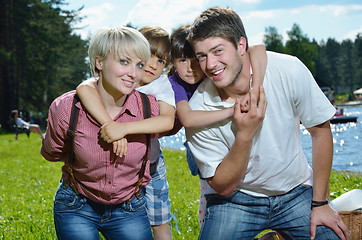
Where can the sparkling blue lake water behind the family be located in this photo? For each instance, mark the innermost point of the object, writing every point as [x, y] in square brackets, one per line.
[347, 141]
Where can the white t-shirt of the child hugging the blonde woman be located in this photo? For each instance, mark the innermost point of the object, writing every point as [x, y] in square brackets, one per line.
[161, 89]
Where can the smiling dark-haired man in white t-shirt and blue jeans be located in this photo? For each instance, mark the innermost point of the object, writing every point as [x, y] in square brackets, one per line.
[259, 177]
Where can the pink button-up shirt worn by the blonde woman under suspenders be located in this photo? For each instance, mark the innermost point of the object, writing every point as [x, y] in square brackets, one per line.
[102, 176]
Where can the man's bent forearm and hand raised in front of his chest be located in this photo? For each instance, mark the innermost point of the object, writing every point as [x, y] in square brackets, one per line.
[232, 168]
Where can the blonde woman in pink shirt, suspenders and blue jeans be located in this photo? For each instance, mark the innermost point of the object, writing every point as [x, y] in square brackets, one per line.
[100, 191]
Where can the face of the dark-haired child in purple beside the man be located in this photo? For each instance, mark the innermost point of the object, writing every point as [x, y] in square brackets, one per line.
[188, 69]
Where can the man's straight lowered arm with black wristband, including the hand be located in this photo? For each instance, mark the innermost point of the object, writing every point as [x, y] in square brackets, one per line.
[322, 157]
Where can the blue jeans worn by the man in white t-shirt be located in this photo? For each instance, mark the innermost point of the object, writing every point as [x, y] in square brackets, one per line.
[241, 216]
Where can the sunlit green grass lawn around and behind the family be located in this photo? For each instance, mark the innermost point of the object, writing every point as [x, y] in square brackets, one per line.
[28, 183]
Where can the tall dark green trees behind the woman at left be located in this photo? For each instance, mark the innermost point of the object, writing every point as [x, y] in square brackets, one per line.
[40, 56]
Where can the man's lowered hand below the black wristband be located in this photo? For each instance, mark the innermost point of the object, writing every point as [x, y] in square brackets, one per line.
[327, 216]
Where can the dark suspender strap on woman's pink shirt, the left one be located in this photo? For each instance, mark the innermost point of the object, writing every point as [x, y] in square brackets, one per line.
[71, 133]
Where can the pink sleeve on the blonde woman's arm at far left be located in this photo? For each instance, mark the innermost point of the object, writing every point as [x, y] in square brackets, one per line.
[54, 141]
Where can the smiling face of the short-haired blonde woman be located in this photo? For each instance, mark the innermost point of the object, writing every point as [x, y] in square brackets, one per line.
[120, 75]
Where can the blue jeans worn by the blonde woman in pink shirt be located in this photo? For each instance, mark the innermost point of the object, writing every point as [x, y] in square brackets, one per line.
[77, 217]
